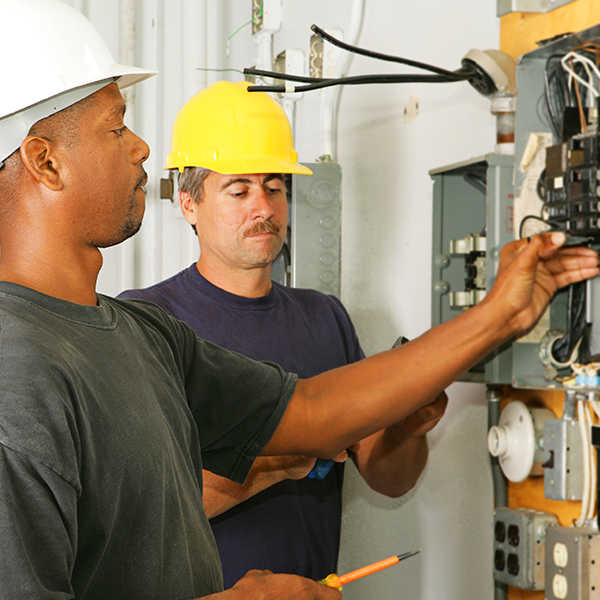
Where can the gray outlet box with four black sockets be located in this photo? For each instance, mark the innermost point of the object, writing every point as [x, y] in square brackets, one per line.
[519, 542]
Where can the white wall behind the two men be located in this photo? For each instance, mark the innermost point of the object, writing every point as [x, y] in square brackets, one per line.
[387, 199]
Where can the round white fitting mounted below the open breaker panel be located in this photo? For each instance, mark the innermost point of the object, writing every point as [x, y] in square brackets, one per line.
[518, 438]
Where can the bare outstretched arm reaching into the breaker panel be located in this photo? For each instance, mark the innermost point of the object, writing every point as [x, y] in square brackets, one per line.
[333, 410]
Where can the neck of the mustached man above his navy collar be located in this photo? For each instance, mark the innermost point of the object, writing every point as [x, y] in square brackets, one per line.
[250, 283]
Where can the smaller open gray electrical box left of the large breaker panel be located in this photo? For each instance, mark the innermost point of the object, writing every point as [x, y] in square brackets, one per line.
[472, 220]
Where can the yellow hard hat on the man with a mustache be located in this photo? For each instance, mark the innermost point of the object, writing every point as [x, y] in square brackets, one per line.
[229, 130]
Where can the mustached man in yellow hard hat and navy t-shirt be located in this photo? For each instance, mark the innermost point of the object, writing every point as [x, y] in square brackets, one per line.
[232, 149]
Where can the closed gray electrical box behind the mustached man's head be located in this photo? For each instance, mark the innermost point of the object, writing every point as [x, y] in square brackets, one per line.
[310, 257]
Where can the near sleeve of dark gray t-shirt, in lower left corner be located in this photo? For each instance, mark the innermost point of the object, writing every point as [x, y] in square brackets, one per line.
[38, 529]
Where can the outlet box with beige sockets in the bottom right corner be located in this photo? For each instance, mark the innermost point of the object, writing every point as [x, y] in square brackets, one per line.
[572, 563]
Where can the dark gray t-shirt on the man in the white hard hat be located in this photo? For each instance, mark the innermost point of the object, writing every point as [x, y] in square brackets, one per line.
[107, 414]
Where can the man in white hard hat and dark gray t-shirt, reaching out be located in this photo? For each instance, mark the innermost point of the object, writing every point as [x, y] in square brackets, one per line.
[110, 408]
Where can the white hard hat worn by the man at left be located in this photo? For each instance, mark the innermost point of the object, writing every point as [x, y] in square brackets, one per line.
[52, 58]
